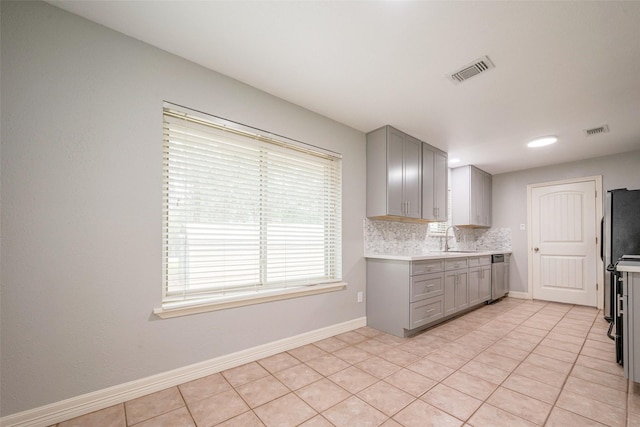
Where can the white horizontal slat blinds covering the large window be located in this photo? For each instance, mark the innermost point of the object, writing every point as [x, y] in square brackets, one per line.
[245, 212]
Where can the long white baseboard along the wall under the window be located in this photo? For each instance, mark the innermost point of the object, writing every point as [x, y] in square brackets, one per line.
[70, 408]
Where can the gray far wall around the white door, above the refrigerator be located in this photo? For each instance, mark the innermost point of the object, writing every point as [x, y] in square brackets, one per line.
[510, 198]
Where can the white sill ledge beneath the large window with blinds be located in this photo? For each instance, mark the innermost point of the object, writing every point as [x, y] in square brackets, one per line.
[170, 310]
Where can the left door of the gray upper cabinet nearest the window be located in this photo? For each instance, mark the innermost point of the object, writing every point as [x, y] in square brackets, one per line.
[395, 173]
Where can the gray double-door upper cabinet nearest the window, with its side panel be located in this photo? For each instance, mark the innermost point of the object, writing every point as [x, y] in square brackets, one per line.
[394, 171]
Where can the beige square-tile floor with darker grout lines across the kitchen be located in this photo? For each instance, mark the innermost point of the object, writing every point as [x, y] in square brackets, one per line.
[512, 363]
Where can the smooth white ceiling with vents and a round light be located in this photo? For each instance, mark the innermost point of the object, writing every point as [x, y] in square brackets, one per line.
[560, 67]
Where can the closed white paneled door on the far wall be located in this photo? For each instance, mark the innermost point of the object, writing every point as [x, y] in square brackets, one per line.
[563, 242]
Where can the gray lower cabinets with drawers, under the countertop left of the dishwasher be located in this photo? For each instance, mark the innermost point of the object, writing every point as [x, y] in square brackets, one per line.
[404, 297]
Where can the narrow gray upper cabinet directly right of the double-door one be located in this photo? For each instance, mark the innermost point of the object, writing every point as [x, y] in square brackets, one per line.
[434, 184]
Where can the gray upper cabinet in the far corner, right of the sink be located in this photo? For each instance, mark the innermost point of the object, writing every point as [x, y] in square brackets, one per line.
[471, 197]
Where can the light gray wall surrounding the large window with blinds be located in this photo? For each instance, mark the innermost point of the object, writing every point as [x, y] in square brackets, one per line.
[81, 210]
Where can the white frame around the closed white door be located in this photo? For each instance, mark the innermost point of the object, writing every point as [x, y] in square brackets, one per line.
[597, 179]
